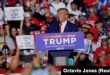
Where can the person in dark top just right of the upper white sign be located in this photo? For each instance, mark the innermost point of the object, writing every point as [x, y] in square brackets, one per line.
[27, 27]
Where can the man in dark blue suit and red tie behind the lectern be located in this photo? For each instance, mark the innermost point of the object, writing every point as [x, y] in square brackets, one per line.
[62, 24]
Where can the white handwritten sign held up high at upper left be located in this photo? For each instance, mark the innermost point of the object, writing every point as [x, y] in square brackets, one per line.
[14, 13]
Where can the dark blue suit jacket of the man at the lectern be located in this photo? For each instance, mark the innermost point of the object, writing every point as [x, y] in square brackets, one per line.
[54, 27]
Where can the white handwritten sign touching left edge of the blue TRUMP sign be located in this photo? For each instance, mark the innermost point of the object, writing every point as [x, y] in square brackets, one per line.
[25, 42]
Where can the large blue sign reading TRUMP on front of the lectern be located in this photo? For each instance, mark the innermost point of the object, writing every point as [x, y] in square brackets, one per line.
[59, 41]
